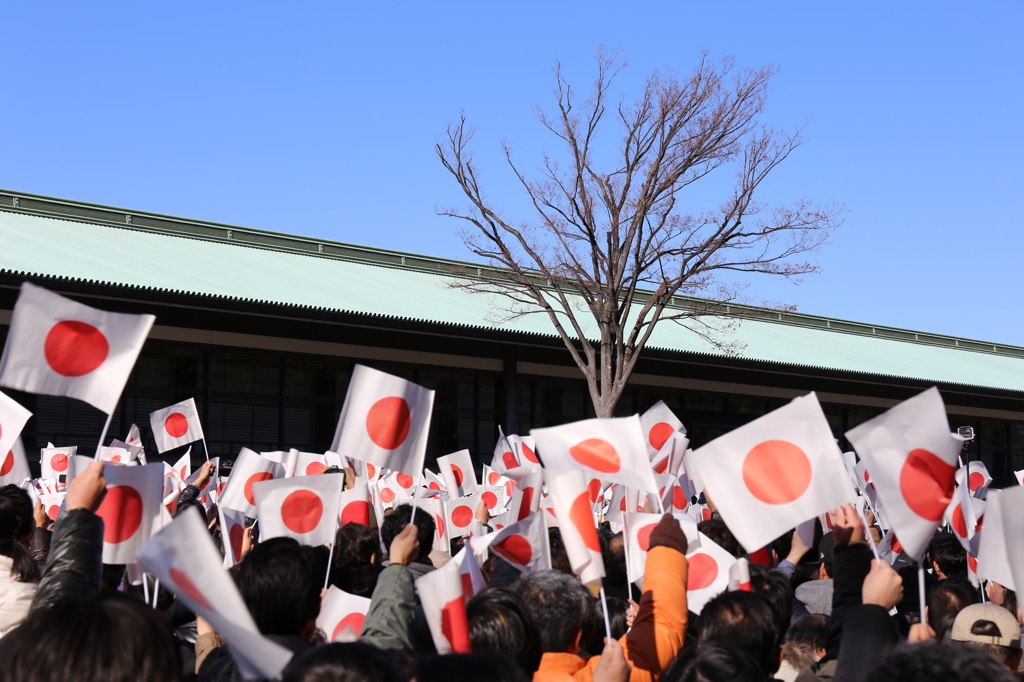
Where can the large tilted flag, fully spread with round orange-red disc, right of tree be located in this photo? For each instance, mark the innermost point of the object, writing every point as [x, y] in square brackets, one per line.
[776, 473]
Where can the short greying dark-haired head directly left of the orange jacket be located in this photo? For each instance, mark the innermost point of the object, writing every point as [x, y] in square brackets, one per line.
[553, 601]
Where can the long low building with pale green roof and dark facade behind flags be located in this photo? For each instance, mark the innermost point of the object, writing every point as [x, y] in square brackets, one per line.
[264, 330]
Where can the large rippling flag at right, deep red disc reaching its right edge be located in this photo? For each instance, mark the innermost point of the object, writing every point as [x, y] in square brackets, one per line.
[912, 456]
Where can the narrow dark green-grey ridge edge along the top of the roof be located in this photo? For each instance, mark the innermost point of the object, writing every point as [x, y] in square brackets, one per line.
[26, 203]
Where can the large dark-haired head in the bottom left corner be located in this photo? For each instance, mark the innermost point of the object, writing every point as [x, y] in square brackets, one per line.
[110, 640]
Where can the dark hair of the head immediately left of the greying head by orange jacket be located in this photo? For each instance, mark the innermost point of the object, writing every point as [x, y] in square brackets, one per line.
[499, 622]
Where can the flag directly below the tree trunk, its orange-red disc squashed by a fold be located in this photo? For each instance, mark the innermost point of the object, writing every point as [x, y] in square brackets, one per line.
[612, 450]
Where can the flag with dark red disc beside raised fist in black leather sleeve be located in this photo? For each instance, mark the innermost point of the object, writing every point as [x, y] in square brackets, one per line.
[131, 509]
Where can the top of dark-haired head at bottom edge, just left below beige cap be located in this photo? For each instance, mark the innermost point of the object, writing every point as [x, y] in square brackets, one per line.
[936, 663]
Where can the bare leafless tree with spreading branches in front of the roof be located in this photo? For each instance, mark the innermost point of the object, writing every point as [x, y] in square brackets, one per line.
[613, 248]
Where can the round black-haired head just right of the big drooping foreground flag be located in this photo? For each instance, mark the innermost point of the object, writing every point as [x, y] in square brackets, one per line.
[280, 581]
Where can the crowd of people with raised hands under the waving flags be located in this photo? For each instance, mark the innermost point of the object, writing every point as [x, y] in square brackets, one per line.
[825, 611]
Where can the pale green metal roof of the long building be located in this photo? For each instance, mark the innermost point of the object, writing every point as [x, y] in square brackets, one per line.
[91, 243]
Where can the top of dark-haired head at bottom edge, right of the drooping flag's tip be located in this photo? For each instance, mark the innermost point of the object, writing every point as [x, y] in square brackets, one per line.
[352, 662]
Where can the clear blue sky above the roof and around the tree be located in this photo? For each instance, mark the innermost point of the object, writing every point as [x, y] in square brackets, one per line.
[320, 118]
